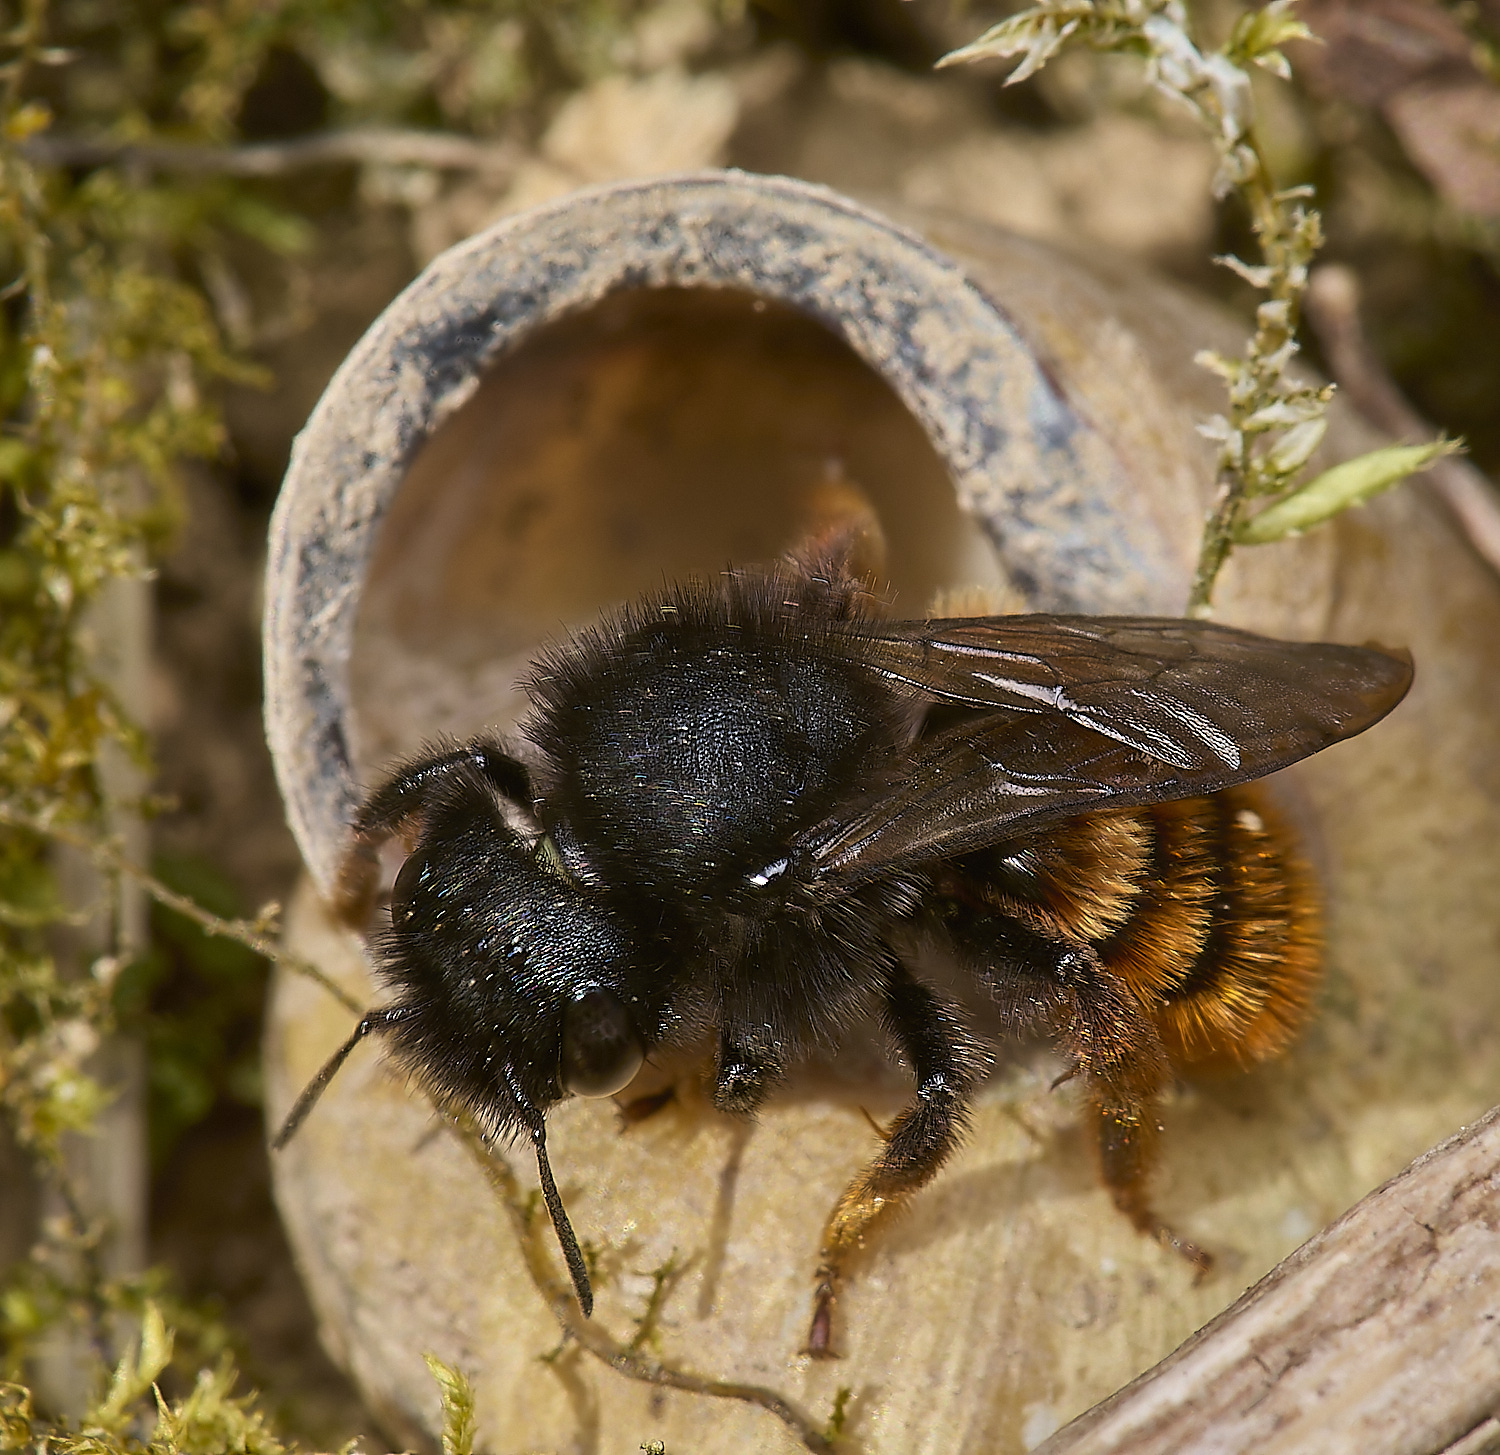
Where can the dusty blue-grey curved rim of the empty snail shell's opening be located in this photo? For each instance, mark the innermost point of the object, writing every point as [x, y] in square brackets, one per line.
[1036, 475]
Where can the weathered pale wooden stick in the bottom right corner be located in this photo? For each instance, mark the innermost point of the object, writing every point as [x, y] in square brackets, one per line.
[1379, 1337]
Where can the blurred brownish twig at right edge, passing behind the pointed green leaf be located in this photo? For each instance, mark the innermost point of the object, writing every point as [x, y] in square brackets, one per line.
[1333, 308]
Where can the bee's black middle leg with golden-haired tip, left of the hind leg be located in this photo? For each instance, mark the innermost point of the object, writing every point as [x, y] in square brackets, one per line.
[947, 1064]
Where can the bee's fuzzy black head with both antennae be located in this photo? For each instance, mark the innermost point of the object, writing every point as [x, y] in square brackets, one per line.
[512, 986]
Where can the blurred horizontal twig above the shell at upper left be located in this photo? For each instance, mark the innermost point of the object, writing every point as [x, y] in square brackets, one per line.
[365, 145]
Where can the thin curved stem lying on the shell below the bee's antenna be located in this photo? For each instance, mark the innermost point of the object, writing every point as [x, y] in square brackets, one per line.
[592, 1334]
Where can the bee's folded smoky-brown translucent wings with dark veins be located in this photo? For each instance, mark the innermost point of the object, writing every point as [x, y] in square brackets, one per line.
[1081, 713]
